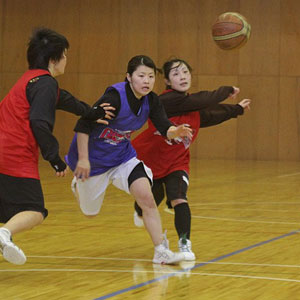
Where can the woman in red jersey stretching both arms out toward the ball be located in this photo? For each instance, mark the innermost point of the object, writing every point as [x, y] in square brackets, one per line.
[169, 160]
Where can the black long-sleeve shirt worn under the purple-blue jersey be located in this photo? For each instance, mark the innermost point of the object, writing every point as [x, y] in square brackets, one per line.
[156, 110]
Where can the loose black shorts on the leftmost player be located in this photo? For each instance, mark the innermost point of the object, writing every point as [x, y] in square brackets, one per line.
[18, 194]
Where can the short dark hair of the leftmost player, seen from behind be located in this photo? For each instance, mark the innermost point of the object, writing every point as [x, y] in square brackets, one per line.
[44, 45]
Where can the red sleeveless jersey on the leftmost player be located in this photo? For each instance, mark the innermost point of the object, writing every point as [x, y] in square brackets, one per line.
[18, 147]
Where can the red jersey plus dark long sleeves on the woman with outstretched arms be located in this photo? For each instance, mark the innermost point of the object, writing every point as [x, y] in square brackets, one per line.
[164, 156]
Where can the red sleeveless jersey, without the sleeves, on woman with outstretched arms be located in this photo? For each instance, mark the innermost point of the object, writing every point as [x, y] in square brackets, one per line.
[161, 155]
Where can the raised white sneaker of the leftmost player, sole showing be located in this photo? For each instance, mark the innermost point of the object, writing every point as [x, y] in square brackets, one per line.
[9, 250]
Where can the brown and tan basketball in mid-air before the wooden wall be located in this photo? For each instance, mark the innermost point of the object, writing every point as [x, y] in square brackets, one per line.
[231, 31]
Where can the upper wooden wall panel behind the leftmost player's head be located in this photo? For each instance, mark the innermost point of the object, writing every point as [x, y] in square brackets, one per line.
[20, 17]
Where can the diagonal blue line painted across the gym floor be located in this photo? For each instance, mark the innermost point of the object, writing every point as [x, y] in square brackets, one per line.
[134, 287]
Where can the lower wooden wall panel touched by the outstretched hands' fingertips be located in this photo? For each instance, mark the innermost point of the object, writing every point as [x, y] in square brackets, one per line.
[258, 133]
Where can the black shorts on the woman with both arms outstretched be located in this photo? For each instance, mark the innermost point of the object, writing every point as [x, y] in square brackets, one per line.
[175, 186]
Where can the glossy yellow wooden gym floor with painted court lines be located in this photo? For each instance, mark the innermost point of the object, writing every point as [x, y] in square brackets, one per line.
[245, 222]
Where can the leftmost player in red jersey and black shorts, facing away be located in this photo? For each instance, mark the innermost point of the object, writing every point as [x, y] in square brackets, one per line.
[27, 116]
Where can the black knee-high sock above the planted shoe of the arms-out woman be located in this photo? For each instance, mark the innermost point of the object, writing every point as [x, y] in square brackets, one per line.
[183, 220]
